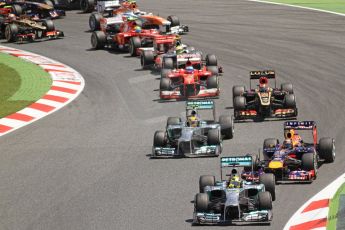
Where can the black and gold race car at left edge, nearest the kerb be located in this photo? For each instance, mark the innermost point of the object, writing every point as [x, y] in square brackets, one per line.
[19, 29]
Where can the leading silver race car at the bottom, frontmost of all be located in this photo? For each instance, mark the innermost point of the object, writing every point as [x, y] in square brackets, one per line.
[234, 200]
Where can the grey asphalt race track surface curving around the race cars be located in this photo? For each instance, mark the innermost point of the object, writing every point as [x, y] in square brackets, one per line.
[87, 165]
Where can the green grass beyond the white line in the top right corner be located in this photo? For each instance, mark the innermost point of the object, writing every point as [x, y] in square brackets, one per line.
[330, 5]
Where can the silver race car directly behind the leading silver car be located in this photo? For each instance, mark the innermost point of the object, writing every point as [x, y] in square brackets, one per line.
[194, 137]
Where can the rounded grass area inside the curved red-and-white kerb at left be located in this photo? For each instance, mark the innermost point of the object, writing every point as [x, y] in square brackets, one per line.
[21, 82]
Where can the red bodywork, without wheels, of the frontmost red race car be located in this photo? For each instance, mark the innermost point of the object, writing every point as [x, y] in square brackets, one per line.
[189, 85]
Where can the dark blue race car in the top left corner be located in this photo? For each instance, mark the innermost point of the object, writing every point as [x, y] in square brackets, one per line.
[42, 10]
